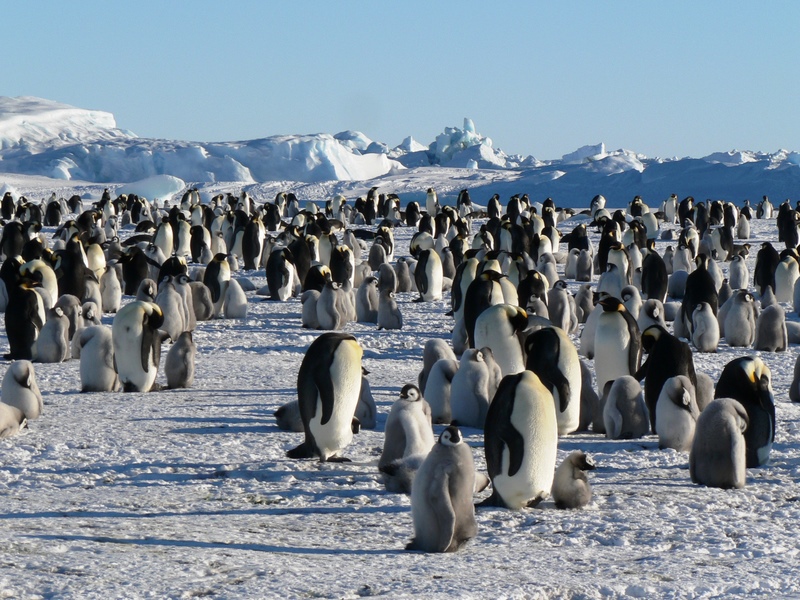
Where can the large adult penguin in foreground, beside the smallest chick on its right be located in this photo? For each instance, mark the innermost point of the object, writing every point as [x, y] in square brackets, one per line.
[520, 441]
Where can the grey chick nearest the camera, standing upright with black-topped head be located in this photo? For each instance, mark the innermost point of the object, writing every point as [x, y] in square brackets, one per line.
[441, 497]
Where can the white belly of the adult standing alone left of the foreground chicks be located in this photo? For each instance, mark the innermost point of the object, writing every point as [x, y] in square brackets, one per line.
[337, 433]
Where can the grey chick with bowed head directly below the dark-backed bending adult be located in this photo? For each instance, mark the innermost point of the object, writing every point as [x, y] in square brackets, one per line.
[676, 414]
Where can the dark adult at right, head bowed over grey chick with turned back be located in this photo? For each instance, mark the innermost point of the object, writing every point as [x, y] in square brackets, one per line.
[747, 380]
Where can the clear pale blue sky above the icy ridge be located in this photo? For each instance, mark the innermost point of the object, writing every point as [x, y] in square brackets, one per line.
[661, 78]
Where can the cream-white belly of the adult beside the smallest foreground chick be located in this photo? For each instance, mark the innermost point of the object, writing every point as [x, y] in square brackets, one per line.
[537, 425]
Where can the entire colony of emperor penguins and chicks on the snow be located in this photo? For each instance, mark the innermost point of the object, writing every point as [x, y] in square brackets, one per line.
[511, 367]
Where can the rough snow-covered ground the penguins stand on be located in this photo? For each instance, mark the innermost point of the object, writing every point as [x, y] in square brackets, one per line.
[184, 493]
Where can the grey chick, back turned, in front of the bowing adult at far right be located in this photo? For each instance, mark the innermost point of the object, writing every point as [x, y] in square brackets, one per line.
[717, 456]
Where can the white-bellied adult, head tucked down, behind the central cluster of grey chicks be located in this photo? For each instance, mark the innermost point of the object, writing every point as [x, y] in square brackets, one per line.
[500, 327]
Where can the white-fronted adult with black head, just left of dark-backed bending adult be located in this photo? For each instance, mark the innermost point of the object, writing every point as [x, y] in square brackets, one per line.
[618, 336]
